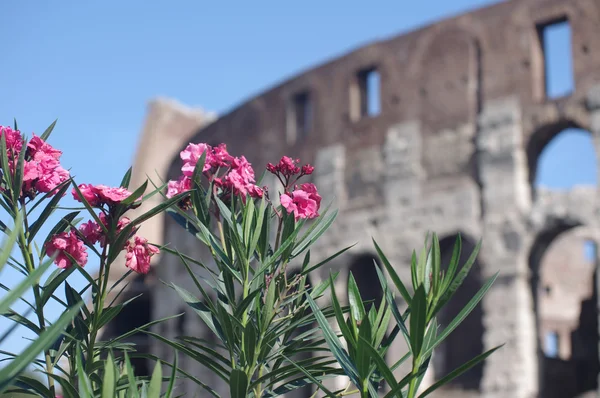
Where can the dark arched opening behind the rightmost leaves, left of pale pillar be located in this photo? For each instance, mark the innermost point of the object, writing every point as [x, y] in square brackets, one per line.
[466, 341]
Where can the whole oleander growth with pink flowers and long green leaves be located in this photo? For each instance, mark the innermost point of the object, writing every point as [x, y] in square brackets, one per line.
[263, 316]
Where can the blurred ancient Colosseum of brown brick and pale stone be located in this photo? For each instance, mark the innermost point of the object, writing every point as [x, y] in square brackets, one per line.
[439, 129]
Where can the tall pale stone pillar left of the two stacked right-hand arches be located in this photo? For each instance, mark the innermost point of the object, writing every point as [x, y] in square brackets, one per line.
[508, 306]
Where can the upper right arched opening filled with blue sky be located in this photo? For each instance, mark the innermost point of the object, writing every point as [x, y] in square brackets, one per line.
[561, 156]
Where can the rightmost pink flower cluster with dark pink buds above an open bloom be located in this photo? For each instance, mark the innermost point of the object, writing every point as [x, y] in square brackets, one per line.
[304, 200]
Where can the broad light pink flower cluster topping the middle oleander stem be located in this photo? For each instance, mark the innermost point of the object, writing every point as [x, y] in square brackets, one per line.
[238, 178]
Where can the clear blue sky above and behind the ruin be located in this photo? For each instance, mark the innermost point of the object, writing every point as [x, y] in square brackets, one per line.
[95, 65]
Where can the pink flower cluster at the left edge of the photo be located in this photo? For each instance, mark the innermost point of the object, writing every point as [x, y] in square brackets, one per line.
[42, 171]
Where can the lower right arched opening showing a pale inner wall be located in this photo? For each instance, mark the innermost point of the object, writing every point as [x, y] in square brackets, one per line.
[563, 269]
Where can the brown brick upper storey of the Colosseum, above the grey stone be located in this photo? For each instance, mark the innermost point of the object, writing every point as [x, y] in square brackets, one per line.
[440, 75]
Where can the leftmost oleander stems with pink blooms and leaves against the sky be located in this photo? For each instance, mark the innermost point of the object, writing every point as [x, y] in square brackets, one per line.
[33, 183]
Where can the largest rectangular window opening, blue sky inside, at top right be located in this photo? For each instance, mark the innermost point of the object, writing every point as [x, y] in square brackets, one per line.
[556, 44]
